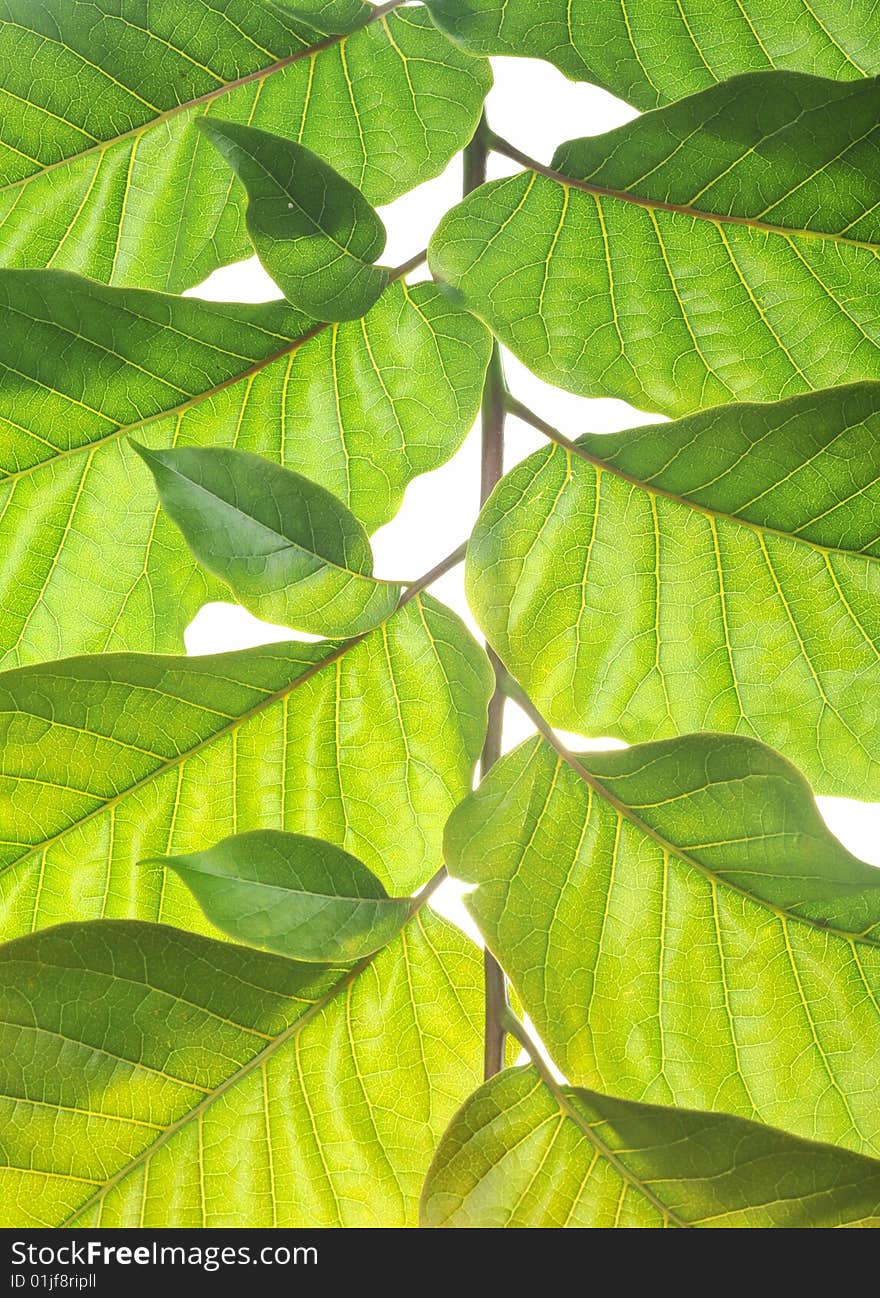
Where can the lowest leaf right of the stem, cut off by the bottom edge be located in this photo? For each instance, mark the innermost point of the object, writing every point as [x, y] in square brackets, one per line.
[520, 1156]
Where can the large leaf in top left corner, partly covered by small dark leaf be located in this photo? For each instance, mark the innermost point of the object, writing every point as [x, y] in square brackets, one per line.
[103, 172]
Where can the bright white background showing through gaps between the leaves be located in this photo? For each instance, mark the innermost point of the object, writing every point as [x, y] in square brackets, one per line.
[534, 107]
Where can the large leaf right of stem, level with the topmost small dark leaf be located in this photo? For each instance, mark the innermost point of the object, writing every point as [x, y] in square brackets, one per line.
[721, 250]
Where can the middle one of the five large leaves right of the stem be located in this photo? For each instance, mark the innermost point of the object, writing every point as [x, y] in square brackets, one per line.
[746, 541]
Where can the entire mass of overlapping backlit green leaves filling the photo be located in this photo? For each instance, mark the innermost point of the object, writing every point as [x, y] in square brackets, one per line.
[225, 999]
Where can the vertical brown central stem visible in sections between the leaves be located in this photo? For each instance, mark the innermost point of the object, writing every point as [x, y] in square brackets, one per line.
[493, 416]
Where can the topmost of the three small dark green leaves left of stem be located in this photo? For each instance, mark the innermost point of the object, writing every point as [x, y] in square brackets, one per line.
[313, 232]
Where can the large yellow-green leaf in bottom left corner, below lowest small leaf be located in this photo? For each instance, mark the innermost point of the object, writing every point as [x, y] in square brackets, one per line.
[156, 1079]
